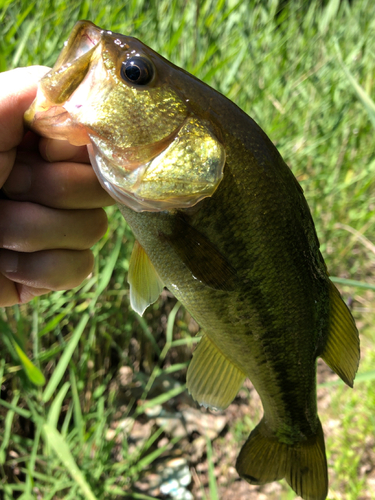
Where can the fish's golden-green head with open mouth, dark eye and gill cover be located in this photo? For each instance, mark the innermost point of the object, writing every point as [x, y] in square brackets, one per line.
[149, 148]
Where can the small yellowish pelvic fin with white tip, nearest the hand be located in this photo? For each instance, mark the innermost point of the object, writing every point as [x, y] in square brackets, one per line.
[144, 281]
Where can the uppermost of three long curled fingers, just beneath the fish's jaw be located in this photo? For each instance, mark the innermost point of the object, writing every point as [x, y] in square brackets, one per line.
[57, 185]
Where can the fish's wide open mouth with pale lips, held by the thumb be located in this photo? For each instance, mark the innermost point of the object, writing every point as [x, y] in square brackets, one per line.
[47, 115]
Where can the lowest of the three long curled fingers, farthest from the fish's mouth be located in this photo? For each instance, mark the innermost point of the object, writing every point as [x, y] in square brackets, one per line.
[48, 269]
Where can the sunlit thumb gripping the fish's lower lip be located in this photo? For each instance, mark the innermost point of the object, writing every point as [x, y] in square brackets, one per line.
[18, 89]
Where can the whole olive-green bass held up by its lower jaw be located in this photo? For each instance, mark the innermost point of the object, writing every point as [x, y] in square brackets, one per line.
[221, 221]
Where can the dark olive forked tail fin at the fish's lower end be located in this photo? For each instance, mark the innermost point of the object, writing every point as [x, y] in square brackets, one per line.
[264, 459]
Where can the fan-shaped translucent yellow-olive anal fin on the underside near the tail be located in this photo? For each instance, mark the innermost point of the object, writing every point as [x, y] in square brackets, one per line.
[212, 379]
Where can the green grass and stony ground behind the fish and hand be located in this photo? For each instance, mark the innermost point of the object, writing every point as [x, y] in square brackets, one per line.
[107, 422]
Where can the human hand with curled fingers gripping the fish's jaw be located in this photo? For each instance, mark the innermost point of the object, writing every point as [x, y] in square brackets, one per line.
[52, 212]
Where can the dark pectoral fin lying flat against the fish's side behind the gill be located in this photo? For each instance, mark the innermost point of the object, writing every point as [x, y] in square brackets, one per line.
[204, 261]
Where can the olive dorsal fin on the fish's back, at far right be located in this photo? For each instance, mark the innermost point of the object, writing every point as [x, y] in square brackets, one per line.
[341, 351]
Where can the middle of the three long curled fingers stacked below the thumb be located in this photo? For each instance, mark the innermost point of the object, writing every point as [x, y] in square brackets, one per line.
[29, 227]
